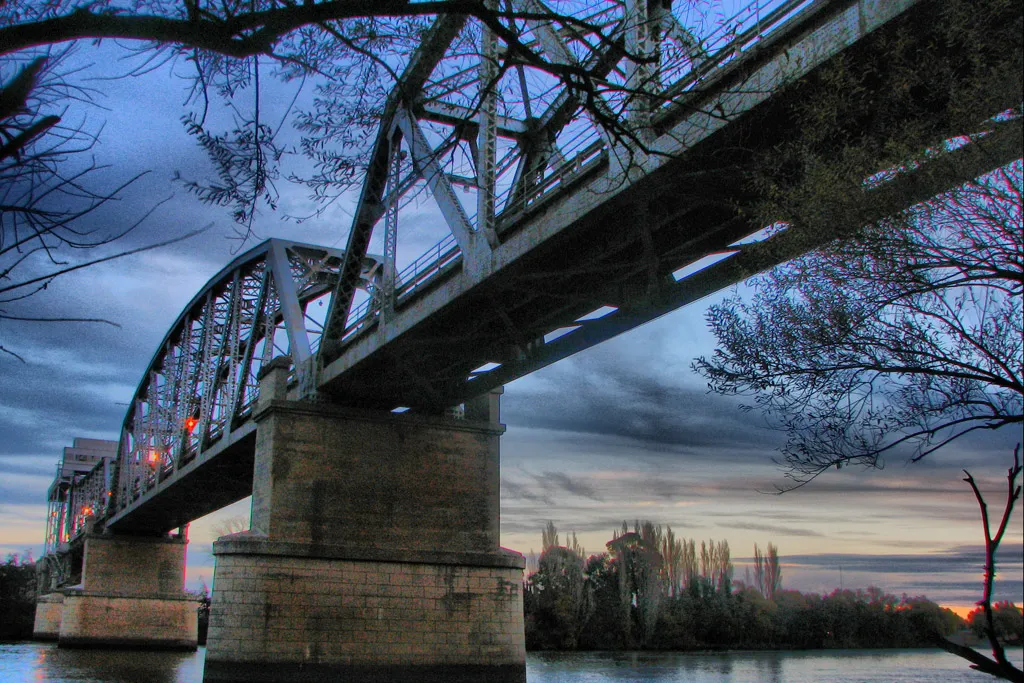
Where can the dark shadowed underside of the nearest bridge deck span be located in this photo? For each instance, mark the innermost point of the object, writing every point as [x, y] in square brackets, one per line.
[624, 251]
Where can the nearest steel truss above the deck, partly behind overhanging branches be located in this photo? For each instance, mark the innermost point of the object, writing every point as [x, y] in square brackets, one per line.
[495, 110]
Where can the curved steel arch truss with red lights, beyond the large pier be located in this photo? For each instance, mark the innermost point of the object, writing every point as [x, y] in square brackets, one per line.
[202, 385]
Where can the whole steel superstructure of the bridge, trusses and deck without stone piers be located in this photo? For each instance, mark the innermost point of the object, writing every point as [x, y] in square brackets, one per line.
[574, 234]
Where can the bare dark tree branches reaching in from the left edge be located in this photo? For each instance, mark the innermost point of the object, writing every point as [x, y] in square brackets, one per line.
[49, 187]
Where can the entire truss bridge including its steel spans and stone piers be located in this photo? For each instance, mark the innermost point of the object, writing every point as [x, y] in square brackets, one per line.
[358, 402]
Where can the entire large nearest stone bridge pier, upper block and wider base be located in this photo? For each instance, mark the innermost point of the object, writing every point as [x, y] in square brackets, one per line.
[373, 553]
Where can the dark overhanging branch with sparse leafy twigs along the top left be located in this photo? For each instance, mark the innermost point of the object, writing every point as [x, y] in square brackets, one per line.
[352, 56]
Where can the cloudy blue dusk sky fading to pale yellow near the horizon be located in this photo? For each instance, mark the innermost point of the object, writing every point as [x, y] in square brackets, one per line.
[623, 432]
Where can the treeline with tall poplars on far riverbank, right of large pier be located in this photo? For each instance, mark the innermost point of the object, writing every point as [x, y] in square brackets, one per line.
[654, 591]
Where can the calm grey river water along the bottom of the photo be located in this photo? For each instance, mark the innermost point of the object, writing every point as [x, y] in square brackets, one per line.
[24, 663]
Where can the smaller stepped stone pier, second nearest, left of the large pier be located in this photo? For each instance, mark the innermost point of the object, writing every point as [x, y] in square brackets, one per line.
[132, 596]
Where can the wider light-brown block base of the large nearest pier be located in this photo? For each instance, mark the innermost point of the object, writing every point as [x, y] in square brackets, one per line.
[280, 616]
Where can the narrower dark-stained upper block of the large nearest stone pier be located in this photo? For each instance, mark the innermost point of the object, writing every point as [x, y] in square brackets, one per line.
[344, 478]
